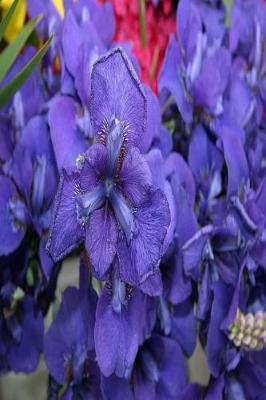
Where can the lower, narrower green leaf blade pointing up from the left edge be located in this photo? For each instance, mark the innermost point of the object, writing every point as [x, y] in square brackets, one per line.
[14, 85]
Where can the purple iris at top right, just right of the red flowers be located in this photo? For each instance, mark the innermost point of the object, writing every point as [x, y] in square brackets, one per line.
[196, 67]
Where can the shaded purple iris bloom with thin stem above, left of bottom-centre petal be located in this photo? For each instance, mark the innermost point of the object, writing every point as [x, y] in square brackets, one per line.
[69, 342]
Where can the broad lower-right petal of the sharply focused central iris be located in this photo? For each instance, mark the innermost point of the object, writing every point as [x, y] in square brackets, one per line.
[140, 256]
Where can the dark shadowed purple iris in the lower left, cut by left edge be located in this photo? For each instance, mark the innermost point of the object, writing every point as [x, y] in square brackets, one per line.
[21, 324]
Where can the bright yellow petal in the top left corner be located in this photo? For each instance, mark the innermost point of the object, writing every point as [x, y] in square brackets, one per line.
[18, 19]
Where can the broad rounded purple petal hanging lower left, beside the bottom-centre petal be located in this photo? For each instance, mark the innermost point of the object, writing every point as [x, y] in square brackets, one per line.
[71, 334]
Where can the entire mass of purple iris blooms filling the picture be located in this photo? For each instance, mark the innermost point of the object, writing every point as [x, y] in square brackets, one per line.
[161, 198]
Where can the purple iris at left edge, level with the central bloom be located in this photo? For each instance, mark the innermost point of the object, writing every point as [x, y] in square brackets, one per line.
[27, 202]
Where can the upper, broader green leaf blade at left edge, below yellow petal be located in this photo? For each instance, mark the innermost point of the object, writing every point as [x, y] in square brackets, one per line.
[11, 52]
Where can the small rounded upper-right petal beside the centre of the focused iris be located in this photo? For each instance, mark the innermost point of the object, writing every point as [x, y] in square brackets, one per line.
[135, 176]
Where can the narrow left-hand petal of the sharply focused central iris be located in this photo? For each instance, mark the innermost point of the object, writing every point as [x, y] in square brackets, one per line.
[65, 230]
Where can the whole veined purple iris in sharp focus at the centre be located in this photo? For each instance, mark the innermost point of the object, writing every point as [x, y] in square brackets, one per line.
[108, 200]
